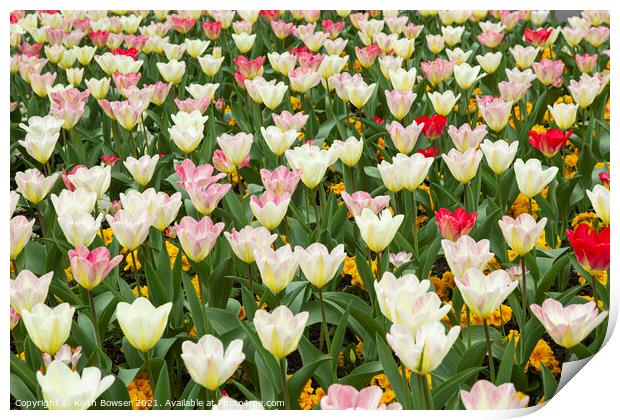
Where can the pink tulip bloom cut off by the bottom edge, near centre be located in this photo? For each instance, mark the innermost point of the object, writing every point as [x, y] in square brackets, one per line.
[346, 397]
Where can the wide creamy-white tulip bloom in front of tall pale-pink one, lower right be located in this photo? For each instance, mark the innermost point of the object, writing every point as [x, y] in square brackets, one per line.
[424, 351]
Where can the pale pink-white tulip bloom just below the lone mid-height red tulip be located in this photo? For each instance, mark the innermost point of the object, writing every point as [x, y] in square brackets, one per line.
[466, 253]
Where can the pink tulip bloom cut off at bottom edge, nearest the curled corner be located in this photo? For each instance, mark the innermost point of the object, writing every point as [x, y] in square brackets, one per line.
[484, 395]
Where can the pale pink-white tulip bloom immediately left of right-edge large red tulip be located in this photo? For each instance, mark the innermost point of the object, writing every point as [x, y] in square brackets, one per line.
[522, 233]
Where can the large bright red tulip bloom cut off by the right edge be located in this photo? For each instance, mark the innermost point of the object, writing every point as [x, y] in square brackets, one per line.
[591, 247]
